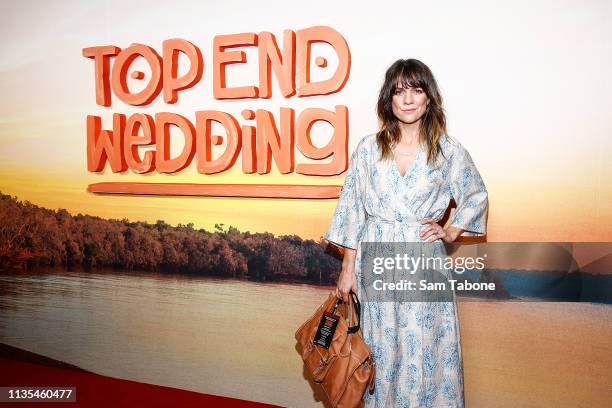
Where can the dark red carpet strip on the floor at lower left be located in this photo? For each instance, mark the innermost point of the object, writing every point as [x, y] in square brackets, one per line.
[22, 368]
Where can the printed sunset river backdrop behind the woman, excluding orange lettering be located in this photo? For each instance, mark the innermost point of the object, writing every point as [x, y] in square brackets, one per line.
[527, 91]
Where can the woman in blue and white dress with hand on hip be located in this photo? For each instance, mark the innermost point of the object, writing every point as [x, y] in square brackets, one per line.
[398, 186]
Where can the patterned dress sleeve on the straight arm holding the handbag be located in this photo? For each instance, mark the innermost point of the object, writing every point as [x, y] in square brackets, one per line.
[349, 217]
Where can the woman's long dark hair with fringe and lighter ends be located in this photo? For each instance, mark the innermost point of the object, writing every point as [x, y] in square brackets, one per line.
[410, 72]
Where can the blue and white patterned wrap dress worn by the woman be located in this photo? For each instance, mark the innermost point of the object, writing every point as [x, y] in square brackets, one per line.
[416, 345]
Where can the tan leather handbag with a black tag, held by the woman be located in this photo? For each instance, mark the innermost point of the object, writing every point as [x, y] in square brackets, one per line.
[344, 369]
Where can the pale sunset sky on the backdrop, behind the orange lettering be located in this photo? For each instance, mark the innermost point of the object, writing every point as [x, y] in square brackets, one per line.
[530, 101]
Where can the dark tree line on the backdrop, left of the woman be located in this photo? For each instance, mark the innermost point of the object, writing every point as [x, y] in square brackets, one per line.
[32, 236]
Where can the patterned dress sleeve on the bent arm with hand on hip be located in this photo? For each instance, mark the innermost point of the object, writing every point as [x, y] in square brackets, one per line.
[470, 194]
